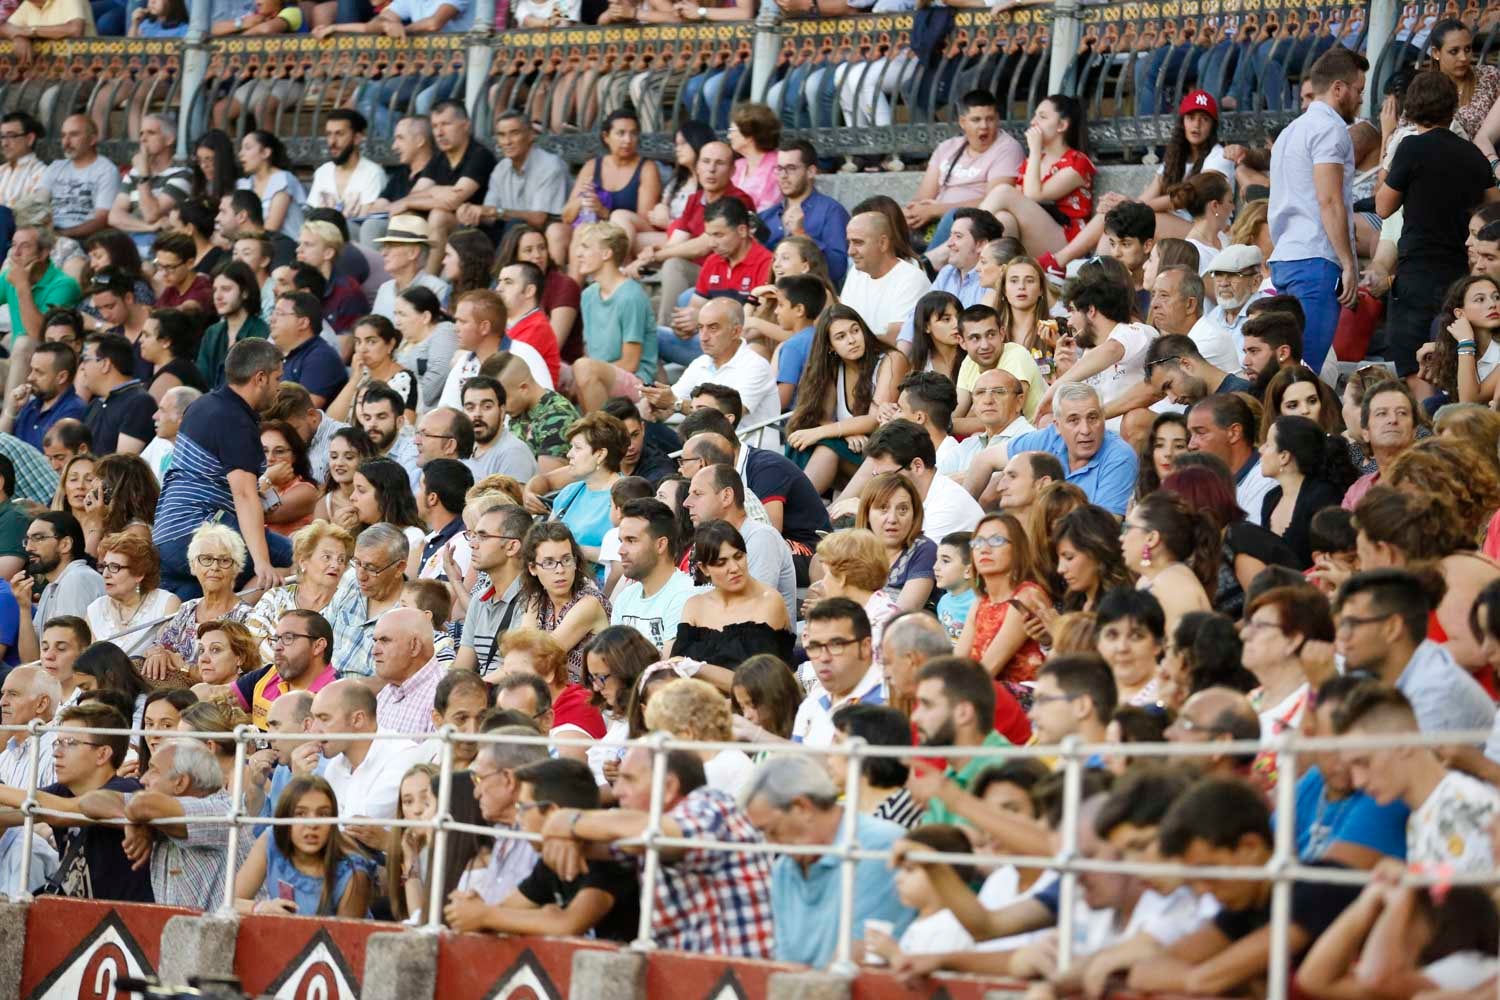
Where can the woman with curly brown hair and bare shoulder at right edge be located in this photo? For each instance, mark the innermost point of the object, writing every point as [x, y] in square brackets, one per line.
[1400, 528]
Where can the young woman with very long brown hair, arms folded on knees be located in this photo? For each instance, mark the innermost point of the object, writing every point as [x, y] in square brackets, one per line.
[850, 377]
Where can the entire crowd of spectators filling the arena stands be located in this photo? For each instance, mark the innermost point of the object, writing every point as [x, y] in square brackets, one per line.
[484, 445]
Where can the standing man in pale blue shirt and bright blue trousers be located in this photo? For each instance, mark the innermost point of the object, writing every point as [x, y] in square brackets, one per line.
[1312, 200]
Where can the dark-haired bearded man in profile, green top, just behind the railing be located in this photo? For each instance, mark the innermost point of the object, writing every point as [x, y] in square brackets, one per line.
[956, 708]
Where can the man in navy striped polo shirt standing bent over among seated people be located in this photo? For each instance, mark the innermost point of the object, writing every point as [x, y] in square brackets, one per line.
[217, 469]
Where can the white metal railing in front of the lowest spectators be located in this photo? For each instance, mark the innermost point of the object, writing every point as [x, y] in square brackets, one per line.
[1282, 869]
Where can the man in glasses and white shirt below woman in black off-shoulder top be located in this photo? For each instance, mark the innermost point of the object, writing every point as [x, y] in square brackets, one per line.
[841, 651]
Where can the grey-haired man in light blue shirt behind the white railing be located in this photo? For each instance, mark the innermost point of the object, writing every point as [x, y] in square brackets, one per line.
[793, 801]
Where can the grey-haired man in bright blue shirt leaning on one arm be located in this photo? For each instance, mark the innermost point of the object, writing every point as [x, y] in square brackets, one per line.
[1096, 460]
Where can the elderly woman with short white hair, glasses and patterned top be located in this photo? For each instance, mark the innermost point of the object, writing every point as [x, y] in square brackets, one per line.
[217, 555]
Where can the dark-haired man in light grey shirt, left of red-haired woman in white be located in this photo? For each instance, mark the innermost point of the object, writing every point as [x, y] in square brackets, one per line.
[55, 549]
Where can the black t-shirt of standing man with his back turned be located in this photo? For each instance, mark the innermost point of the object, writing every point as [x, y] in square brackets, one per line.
[1442, 179]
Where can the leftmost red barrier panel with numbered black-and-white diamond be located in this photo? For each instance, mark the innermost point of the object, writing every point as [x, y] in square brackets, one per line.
[77, 948]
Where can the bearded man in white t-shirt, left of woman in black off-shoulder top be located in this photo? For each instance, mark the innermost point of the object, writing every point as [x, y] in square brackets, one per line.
[652, 602]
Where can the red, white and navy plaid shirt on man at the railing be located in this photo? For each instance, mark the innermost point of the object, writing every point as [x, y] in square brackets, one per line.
[709, 902]
